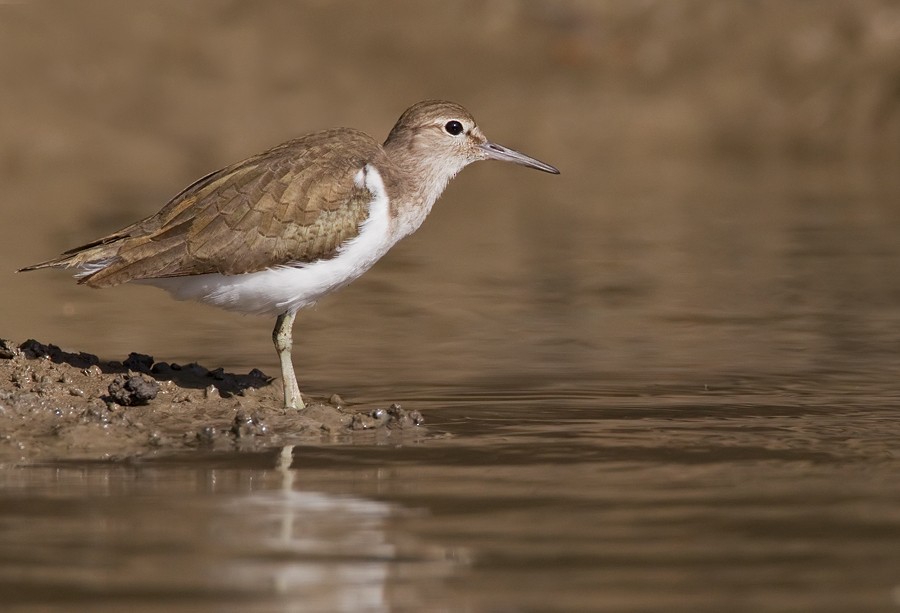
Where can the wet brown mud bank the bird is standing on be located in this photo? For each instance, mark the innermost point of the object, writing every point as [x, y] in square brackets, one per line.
[58, 404]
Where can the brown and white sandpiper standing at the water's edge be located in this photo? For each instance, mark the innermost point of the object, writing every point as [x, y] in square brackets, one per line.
[277, 231]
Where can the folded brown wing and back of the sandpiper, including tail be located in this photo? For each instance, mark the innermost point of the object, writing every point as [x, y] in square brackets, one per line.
[295, 203]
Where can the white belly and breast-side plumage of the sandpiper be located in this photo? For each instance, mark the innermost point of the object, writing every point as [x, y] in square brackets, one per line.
[293, 286]
